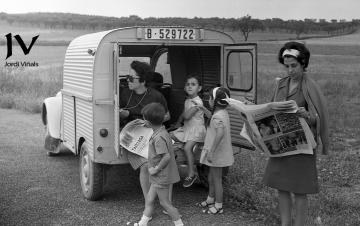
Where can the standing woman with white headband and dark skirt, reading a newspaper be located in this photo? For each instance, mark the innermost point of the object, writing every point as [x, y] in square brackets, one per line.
[297, 174]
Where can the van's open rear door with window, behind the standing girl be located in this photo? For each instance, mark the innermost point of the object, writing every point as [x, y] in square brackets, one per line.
[240, 74]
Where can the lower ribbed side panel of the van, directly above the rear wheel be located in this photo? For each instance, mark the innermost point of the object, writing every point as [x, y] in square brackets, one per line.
[84, 123]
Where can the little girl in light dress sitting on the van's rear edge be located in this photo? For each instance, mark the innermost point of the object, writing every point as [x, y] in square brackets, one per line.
[193, 130]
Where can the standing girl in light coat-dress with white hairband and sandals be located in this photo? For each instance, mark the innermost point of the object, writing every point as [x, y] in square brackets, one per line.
[217, 152]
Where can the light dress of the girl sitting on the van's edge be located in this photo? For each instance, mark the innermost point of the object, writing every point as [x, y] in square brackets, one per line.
[193, 128]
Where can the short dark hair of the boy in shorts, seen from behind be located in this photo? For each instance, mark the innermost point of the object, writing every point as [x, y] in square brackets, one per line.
[154, 113]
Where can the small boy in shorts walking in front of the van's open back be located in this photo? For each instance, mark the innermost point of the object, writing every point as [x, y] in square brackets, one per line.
[162, 166]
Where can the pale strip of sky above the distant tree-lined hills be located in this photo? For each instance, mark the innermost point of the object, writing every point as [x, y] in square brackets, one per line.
[261, 9]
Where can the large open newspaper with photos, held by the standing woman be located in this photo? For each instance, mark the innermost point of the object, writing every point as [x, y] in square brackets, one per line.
[277, 133]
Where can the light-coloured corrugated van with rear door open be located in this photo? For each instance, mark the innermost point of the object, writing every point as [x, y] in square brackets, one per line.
[84, 115]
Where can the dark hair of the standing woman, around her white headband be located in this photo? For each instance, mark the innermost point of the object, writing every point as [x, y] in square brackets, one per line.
[302, 58]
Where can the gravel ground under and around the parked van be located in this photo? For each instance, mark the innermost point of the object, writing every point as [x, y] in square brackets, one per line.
[39, 190]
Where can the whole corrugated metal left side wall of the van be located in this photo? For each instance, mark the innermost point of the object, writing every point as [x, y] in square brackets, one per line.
[78, 92]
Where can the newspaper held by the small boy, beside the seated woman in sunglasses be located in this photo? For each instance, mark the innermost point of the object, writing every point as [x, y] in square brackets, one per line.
[135, 137]
